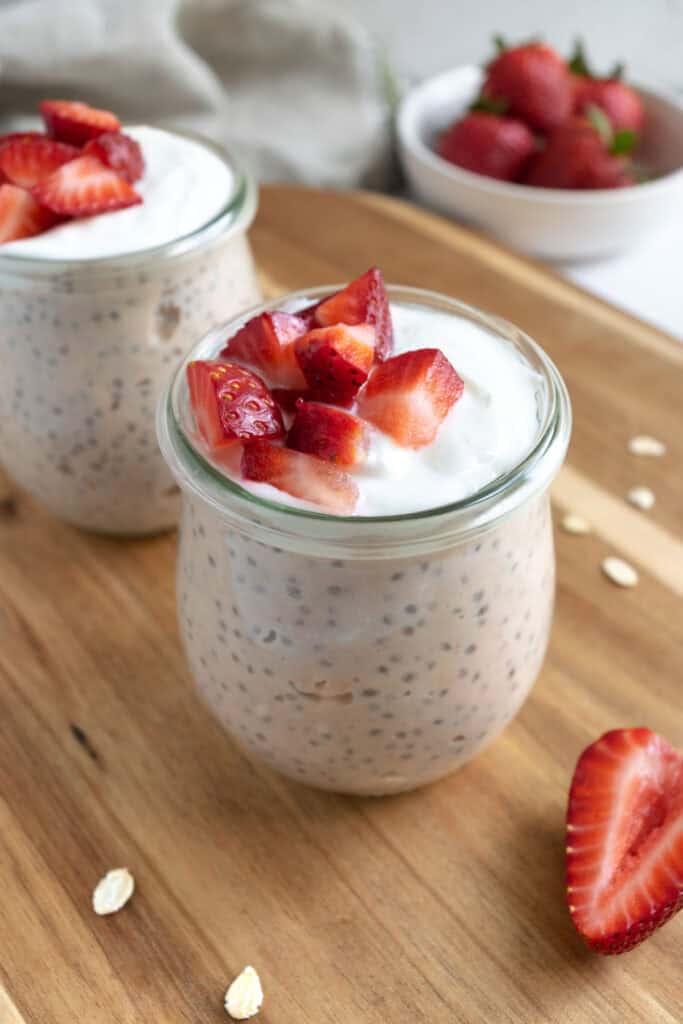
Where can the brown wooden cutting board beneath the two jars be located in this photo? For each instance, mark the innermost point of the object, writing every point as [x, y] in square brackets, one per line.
[443, 906]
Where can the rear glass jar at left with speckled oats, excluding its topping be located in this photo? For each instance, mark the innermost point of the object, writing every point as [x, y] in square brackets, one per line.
[87, 348]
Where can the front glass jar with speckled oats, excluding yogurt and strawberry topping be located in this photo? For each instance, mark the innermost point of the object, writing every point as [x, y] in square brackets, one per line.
[368, 655]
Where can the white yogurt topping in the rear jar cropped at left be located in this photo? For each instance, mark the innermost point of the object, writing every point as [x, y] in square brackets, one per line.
[185, 186]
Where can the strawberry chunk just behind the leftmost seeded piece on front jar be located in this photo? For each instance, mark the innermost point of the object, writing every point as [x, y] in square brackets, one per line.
[267, 343]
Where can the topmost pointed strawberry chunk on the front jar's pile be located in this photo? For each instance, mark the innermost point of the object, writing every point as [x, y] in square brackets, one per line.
[363, 302]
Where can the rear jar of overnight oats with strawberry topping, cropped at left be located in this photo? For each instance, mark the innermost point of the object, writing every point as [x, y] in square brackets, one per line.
[118, 248]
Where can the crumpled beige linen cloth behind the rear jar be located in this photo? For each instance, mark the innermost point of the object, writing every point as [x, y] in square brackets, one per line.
[294, 88]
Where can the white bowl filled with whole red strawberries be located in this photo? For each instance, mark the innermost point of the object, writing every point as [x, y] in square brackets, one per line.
[544, 154]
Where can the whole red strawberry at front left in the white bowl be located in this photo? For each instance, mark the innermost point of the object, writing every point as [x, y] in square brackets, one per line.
[496, 147]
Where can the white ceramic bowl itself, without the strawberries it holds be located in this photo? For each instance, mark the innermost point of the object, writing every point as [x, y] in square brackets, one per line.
[553, 224]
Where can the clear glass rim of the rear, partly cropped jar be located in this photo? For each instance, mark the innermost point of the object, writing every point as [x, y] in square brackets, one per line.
[236, 216]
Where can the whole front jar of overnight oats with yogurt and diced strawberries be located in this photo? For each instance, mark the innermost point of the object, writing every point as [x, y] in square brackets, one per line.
[366, 567]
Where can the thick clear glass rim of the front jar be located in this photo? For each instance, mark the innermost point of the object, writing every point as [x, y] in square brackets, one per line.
[288, 527]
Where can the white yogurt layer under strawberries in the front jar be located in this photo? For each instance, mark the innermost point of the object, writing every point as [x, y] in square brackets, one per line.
[488, 433]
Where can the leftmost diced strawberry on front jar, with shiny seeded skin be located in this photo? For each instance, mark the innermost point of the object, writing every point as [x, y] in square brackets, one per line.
[231, 404]
